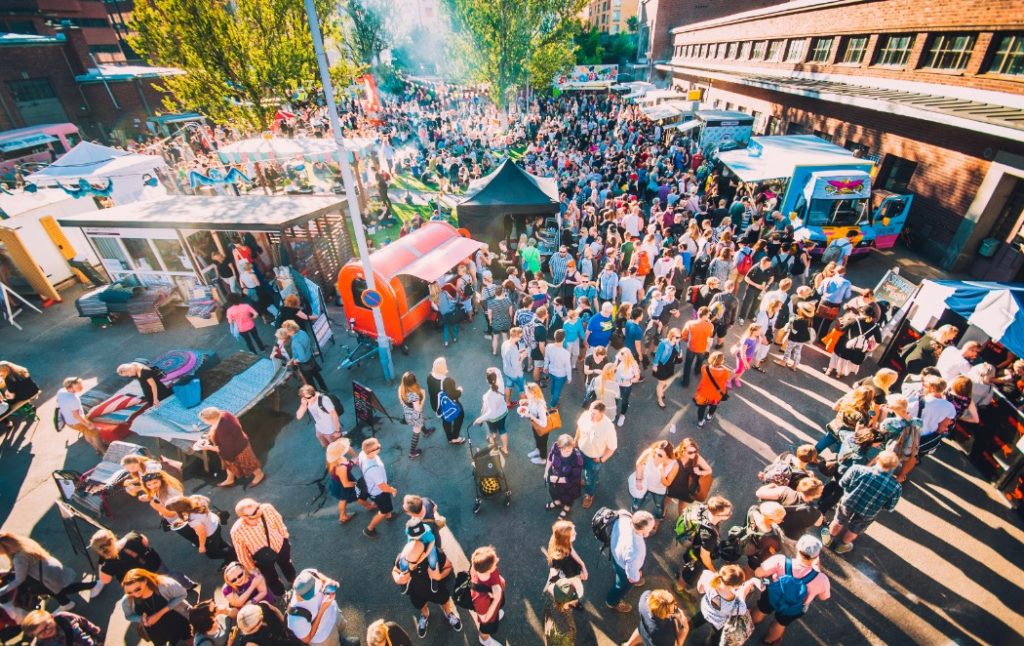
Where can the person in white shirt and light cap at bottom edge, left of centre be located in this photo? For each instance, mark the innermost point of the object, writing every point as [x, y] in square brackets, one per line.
[313, 614]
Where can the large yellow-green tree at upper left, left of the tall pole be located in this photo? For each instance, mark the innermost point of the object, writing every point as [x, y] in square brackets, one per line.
[242, 58]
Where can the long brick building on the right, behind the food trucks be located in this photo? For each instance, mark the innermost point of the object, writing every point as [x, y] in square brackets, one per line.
[932, 91]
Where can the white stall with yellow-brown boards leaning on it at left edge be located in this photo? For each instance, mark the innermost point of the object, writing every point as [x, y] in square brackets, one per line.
[31, 242]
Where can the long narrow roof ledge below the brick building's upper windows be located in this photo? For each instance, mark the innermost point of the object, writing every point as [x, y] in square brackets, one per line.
[1006, 121]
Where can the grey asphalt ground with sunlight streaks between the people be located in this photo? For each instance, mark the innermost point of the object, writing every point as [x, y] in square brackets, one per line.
[946, 568]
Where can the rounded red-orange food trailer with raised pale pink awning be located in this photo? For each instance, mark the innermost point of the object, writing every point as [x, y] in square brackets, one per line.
[404, 272]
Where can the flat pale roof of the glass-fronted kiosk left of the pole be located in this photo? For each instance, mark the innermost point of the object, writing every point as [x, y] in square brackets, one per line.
[246, 213]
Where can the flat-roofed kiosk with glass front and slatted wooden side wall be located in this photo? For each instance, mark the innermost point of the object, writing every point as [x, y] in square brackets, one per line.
[170, 242]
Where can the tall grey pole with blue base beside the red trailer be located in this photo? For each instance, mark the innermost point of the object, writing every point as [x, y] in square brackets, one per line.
[383, 342]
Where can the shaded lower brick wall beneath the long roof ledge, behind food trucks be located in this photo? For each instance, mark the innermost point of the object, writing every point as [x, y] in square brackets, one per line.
[952, 162]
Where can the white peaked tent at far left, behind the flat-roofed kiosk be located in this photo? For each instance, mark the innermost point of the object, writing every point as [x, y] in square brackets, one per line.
[98, 164]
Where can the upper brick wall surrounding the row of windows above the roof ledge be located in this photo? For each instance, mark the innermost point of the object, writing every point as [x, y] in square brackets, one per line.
[875, 17]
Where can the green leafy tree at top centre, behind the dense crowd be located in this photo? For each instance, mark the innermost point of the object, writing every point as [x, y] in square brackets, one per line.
[508, 44]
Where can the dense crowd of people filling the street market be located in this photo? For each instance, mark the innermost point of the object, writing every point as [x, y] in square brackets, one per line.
[666, 270]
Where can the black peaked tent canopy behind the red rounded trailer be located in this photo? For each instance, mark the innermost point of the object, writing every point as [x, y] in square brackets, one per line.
[507, 193]
